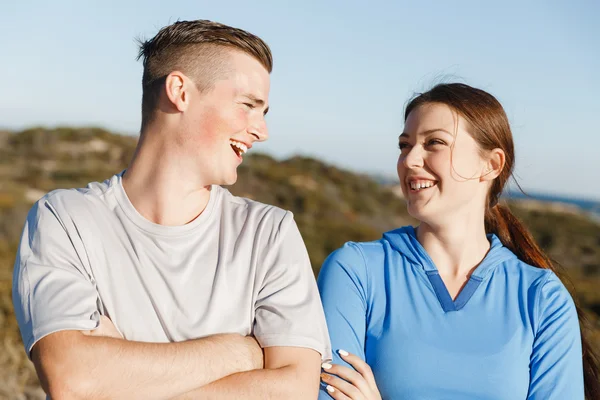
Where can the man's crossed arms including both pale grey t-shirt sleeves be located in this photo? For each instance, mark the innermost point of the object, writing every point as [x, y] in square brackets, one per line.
[75, 364]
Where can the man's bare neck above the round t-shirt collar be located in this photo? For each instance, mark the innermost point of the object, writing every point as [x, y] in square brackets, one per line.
[162, 187]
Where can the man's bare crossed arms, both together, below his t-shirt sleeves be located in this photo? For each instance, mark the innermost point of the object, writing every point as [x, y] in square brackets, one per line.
[76, 365]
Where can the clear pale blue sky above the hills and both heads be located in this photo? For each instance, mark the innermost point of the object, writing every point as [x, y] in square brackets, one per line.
[343, 72]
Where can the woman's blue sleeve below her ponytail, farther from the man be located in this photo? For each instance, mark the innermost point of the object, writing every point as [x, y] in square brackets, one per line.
[556, 365]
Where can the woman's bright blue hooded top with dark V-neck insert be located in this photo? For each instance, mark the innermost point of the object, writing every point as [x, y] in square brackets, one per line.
[511, 333]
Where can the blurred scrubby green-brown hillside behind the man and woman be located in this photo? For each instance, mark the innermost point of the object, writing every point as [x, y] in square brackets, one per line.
[331, 206]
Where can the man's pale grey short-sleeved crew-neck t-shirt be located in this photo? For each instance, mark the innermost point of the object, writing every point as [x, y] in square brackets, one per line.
[241, 266]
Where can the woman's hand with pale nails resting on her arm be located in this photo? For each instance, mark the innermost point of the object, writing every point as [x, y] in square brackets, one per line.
[346, 383]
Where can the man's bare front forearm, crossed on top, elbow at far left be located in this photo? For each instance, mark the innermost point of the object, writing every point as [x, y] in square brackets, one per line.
[101, 367]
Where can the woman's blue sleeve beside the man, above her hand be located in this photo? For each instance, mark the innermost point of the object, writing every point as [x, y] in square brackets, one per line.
[342, 285]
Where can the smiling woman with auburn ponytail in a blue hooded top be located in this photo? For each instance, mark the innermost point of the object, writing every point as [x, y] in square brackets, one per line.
[466, 305]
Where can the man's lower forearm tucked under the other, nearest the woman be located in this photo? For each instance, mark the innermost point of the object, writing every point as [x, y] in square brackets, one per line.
[290, 382]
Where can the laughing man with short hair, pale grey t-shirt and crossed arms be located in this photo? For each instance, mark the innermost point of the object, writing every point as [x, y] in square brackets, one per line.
[162, 256]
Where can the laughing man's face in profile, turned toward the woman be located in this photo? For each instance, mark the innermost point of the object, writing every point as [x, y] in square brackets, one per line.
[222, 123]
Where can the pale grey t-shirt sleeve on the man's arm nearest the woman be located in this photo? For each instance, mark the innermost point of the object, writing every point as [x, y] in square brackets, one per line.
[288, 309]
